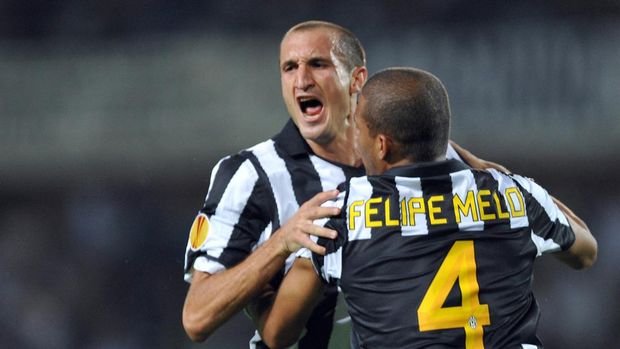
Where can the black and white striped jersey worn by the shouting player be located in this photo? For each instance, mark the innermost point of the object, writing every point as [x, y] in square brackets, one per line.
[251, 194]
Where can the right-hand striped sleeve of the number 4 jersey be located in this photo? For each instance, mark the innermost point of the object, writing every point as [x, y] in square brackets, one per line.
[551, 231]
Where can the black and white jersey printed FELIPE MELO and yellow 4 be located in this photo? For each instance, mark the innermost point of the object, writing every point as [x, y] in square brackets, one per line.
[438, 255]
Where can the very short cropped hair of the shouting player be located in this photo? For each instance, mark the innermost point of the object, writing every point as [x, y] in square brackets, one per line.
[347, 47]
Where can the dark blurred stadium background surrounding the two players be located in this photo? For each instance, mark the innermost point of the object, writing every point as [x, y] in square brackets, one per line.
[112, 114]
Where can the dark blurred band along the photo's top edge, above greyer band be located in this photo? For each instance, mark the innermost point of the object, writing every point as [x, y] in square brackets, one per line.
[88, 19]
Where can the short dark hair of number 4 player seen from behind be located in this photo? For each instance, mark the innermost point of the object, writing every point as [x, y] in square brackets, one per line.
[410, 106]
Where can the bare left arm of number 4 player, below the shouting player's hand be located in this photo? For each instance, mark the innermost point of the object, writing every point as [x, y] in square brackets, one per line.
[282, 323]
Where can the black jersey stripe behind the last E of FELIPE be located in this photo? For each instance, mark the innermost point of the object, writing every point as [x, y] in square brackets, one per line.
[437, 191]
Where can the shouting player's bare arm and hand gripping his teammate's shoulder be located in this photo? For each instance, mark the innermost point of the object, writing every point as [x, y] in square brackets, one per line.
[212, 299]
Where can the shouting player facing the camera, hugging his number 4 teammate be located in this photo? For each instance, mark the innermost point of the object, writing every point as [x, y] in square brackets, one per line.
[254, 203]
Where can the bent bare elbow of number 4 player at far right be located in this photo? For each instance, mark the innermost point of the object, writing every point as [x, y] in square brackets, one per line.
[583, 252]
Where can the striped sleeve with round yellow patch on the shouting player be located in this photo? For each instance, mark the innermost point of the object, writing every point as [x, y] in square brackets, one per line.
[232, 219]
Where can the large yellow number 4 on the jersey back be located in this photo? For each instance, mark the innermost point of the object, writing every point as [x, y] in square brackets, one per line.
[458, 266]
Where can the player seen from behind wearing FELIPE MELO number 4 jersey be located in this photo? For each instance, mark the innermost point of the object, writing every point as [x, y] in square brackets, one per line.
[430, 253]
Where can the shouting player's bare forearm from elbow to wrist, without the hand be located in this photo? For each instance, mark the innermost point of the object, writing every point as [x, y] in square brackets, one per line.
[213, 299]
